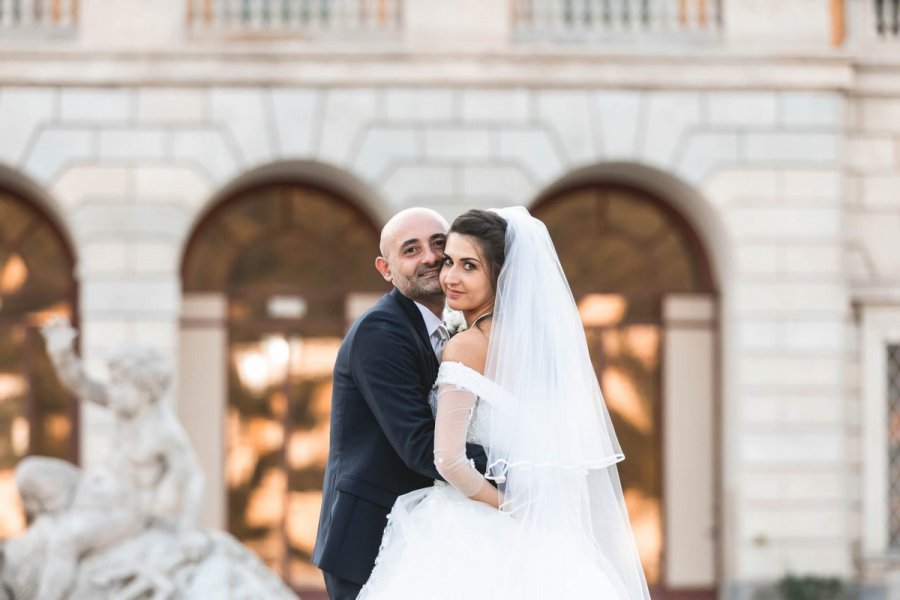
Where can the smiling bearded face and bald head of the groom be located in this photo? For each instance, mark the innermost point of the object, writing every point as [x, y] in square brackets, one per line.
[414, 254]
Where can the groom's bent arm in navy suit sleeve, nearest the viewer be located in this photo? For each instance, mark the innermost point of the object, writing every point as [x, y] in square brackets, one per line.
[384, 367]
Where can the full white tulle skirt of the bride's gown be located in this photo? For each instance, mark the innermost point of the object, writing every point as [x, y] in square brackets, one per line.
[441, 545]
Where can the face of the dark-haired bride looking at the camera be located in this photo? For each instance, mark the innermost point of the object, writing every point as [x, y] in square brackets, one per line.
[464, 276]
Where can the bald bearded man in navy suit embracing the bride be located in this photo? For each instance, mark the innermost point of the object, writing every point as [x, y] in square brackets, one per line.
[382, 427]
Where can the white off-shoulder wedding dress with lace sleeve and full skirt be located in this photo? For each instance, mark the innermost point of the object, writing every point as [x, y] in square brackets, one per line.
[440, 544]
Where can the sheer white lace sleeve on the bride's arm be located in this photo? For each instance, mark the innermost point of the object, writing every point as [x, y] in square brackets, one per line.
[455, 406]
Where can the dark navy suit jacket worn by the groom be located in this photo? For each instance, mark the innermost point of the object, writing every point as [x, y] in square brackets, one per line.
[382, 433]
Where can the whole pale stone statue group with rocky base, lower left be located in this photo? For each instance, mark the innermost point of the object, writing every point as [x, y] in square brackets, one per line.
[129, 527]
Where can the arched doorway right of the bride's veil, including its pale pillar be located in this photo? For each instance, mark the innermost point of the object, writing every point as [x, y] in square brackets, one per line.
[647, 298]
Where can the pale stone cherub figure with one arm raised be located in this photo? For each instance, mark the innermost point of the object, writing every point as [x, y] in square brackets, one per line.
[151, 456]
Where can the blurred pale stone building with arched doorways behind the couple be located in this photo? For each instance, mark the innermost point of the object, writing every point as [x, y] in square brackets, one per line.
[721, 179]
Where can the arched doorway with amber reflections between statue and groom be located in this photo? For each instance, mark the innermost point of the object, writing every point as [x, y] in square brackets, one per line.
[290, 266]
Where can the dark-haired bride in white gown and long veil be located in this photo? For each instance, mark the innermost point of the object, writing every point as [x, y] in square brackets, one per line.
[548, 520]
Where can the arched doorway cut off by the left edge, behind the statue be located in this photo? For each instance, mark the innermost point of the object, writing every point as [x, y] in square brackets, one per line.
[37, 415]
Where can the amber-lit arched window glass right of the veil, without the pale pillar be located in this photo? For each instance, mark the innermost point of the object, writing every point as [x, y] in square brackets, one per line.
[627, 254]
